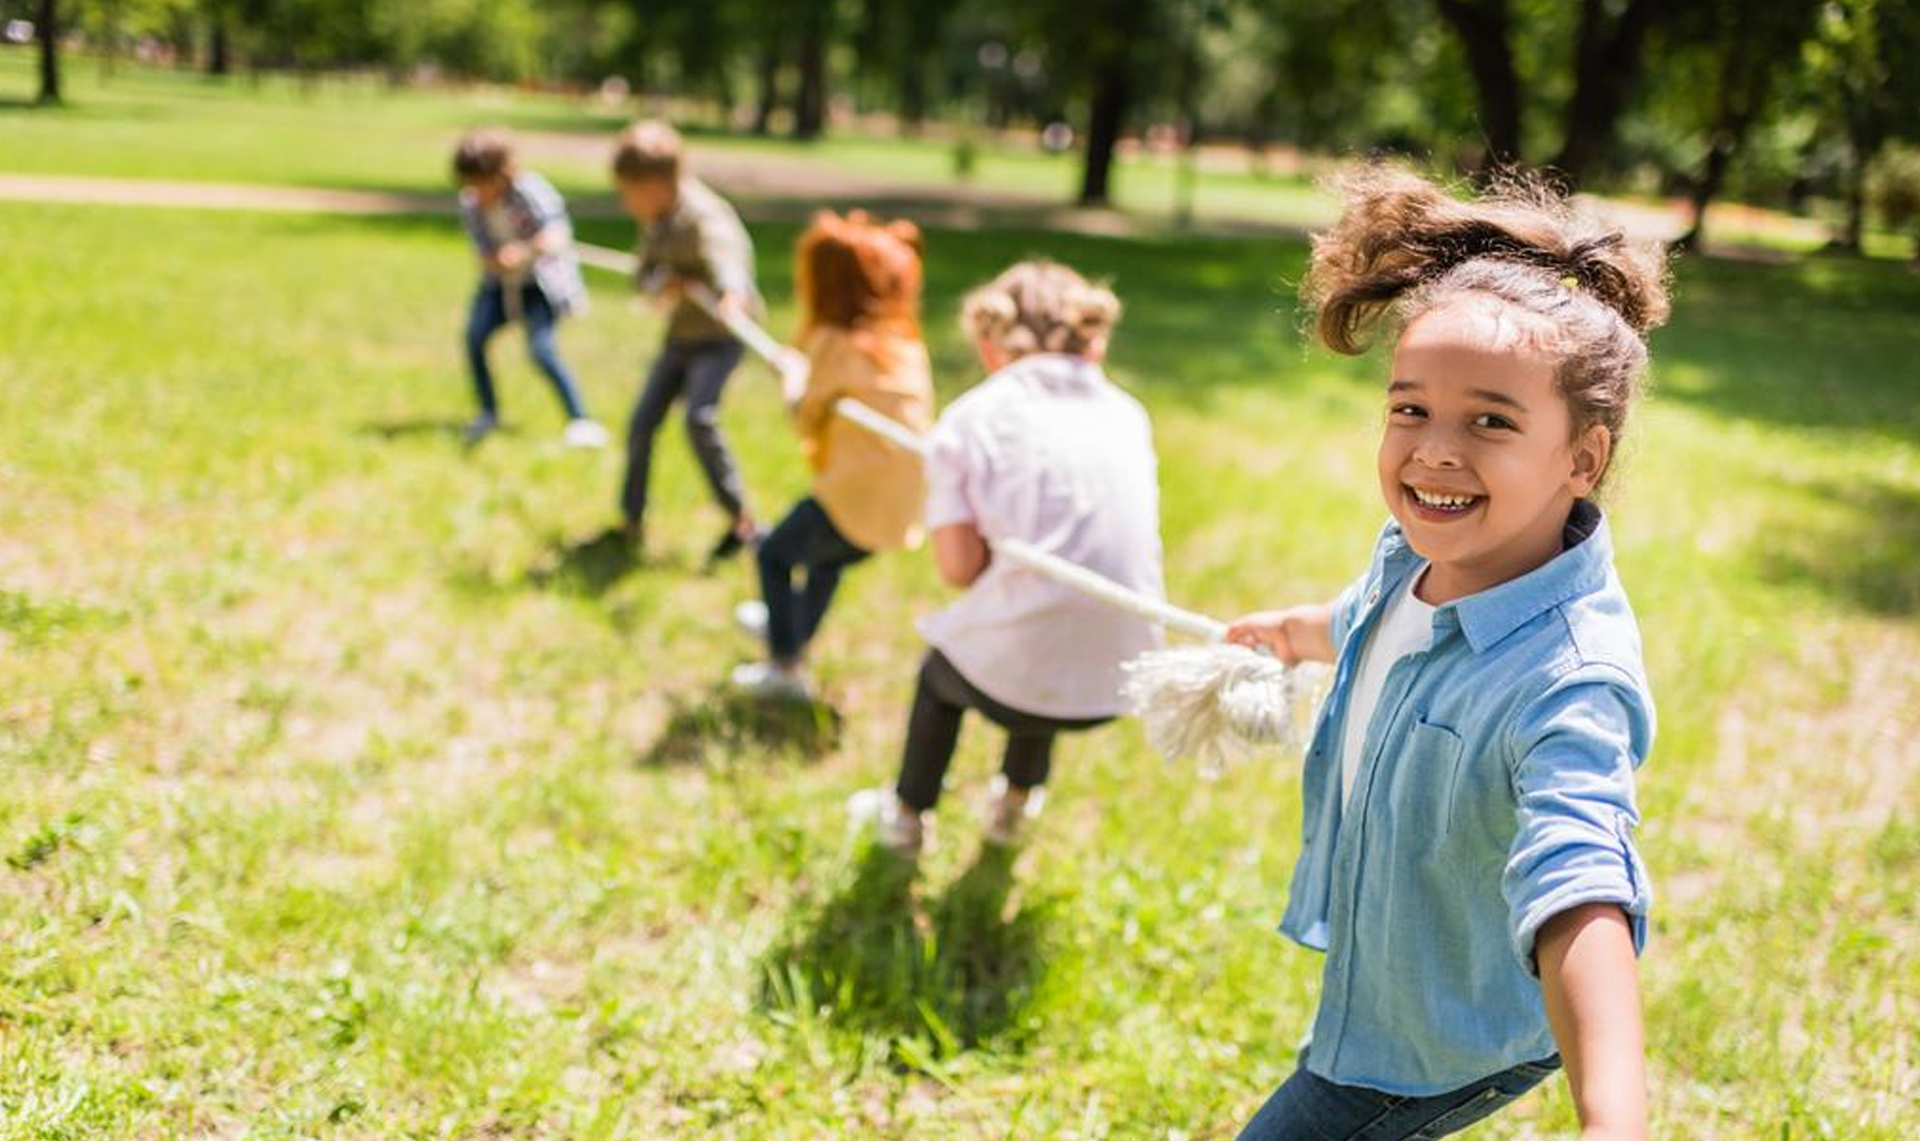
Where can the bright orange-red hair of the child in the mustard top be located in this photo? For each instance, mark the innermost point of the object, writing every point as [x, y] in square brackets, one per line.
[859, 274]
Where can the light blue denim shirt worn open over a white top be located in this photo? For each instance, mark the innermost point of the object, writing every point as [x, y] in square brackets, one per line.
[1495, 790]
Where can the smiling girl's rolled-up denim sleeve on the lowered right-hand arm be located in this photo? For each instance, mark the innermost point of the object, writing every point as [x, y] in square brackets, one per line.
[1575, 750]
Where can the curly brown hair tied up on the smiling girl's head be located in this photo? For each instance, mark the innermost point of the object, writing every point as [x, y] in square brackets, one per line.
[1404, 247]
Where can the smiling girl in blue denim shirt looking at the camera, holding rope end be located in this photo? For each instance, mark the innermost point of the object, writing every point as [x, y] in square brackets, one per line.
[1468, 862]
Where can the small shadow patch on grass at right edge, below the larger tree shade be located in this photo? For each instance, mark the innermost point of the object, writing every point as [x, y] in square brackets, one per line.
[1867, 558]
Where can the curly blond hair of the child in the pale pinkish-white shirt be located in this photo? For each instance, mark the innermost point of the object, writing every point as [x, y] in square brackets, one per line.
[1040, 308]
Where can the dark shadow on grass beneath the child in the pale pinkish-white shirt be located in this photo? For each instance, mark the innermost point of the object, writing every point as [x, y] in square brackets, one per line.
[934, 979]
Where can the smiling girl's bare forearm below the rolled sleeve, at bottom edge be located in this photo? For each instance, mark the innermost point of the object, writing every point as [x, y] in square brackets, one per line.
[1593, 992]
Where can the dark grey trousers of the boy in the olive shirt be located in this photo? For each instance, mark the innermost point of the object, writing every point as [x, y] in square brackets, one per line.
[696, 370]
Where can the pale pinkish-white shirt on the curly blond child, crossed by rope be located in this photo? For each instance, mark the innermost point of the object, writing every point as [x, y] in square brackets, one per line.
[1051, 452]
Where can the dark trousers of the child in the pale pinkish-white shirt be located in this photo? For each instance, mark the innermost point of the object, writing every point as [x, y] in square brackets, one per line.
[934, 731]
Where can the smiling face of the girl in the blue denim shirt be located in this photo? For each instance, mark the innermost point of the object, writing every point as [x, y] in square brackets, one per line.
[1477, 462]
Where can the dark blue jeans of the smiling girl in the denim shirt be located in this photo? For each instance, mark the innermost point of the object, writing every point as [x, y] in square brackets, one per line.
[1312, 1109]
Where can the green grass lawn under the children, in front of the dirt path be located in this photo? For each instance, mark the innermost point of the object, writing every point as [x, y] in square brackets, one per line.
[348, 792]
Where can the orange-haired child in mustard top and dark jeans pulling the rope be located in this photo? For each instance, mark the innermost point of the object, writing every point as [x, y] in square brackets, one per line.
[859, 285]
